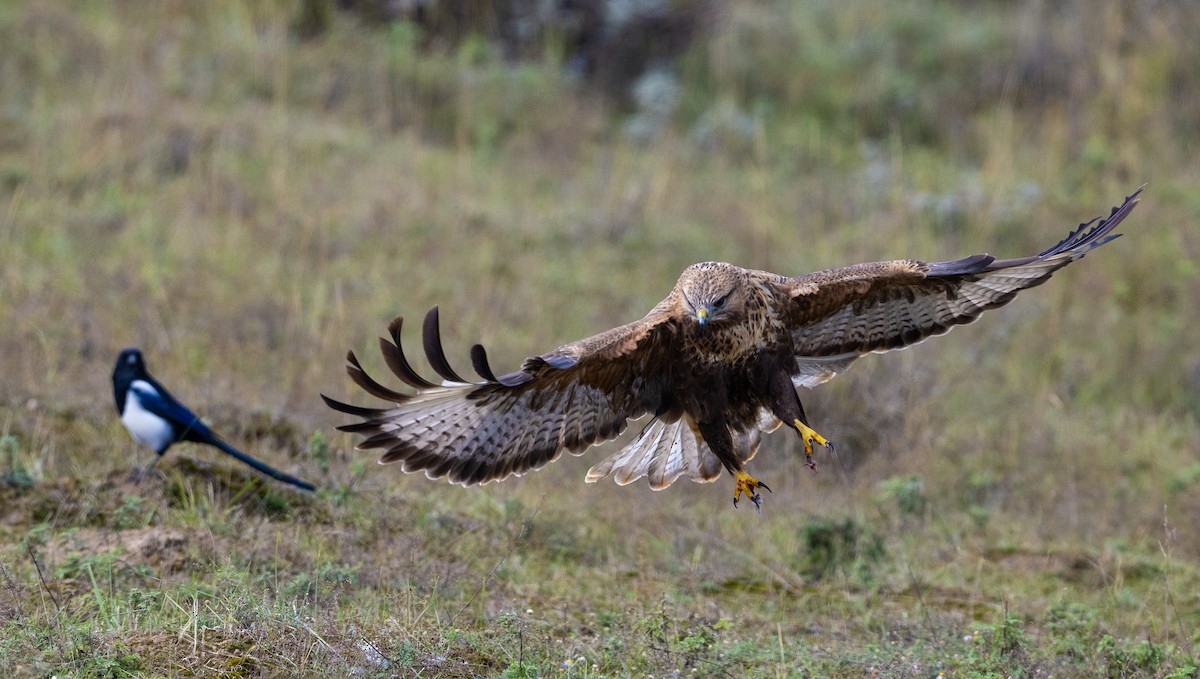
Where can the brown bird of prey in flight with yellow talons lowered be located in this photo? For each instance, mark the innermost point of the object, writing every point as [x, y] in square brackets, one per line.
[716, 365]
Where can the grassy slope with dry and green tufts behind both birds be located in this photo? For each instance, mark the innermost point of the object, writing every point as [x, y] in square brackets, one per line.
[1017, 498]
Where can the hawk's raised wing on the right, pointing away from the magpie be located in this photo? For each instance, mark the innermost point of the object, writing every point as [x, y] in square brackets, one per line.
[839, 315]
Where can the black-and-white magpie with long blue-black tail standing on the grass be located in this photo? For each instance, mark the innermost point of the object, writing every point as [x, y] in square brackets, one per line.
[157, 420]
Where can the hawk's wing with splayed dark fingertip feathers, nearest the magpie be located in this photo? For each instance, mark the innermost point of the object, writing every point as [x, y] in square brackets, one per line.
[475, 432]
